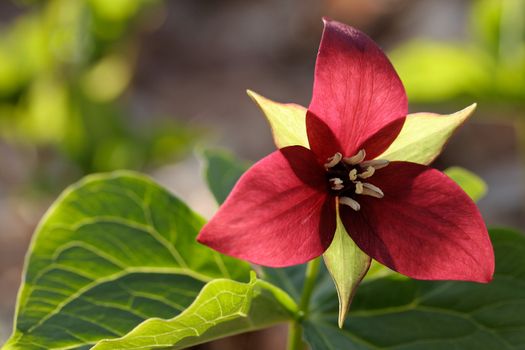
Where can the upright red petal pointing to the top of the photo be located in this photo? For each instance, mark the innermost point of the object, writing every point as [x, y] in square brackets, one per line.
[356, 90]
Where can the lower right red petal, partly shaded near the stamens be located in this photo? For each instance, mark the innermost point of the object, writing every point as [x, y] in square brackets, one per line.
[424, 227]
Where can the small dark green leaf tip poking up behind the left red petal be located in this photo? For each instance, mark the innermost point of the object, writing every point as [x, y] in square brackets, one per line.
[222, 171]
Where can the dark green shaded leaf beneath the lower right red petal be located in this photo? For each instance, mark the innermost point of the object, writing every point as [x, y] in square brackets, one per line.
[395, 312]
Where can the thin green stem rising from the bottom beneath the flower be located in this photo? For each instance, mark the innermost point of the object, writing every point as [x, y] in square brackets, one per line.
[295, 335]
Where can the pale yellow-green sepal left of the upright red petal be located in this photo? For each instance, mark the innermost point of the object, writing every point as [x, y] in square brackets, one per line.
[287, 121]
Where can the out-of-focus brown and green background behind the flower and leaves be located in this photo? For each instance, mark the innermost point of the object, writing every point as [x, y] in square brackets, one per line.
[93, 85]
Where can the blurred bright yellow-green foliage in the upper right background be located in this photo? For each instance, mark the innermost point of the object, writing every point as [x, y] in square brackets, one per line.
[490, 66]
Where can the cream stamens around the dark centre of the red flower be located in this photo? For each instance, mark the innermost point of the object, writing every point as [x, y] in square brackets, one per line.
[346, 177]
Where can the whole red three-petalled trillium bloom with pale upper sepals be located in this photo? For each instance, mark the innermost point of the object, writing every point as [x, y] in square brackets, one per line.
[408, 216]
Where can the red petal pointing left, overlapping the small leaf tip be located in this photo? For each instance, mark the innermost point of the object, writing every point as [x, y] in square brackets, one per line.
[278, 214]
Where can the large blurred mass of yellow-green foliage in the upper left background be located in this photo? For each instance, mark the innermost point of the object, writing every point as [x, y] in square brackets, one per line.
[65, 67]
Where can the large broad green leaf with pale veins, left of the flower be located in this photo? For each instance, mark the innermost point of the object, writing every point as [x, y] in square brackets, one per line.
[111, 252]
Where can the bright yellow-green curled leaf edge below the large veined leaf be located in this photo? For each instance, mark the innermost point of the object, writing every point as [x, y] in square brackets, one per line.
[223, 307]
